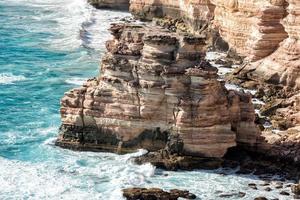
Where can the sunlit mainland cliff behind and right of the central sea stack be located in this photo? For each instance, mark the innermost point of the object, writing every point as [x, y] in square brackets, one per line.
[266, 34]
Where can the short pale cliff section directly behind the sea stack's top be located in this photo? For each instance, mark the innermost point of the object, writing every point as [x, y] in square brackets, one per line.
[195, 13]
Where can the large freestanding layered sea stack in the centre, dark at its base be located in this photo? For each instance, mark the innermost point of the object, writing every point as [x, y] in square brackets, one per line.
[155, 91]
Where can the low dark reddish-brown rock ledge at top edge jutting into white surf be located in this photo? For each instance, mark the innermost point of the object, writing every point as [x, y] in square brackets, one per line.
[110, 4]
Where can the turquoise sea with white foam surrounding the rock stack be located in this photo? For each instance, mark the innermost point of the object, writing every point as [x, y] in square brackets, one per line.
[46, 48]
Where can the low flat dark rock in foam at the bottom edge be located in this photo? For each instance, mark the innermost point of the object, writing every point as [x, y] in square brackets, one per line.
[156, 194]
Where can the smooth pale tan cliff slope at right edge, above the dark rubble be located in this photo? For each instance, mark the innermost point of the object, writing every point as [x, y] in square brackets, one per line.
[283, 66]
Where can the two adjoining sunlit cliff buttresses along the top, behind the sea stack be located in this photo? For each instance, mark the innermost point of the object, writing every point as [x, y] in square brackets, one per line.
[251, 28]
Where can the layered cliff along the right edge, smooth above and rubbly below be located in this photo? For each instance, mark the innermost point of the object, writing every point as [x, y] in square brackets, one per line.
[281, 72]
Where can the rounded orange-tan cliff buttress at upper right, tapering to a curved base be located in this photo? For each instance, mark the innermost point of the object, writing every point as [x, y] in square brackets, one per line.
[252, 28]
